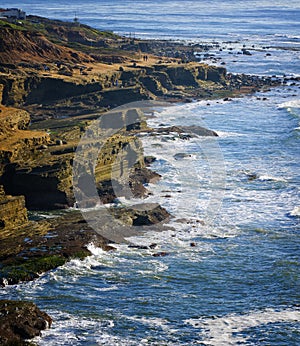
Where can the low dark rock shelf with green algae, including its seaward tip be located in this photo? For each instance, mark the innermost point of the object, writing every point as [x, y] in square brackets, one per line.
[45, 245]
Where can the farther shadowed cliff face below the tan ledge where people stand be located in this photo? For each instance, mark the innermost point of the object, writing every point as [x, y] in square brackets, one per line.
[138, 83]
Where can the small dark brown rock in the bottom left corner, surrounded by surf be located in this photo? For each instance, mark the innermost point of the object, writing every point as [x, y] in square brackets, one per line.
[20, 320]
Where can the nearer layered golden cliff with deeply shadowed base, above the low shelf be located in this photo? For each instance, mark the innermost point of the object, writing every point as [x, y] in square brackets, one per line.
[39, 166]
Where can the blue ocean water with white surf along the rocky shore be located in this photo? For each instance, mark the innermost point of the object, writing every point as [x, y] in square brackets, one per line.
[235, 197]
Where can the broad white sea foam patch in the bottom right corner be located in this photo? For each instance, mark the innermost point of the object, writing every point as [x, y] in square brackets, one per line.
[218, 331]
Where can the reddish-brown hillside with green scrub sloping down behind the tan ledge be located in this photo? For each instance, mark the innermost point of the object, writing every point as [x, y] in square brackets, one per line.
[37, 40]
